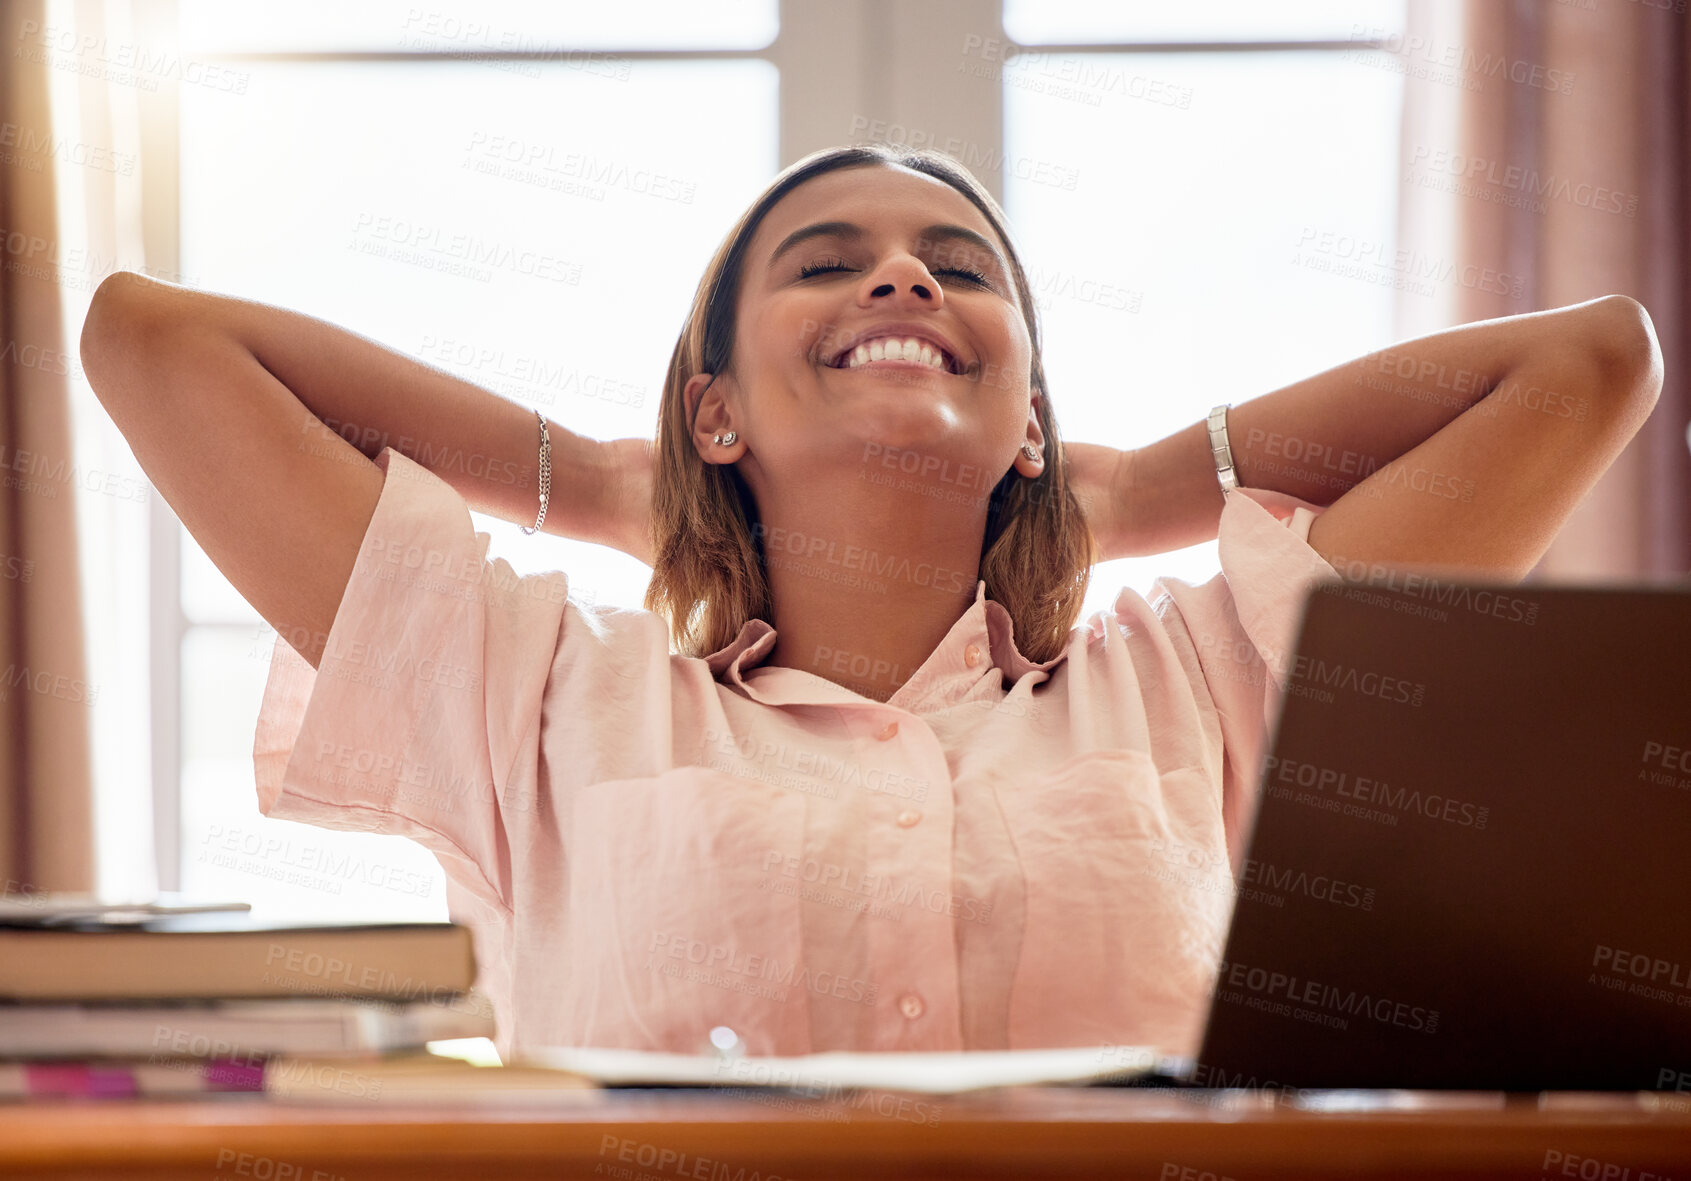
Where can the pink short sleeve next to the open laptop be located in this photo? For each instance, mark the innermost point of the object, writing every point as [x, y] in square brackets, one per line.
[1244, 625]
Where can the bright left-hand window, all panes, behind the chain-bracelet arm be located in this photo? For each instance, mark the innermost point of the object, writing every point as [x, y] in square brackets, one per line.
[534, 222]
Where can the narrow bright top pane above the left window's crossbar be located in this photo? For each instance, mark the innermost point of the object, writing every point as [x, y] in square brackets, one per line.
[484, 26]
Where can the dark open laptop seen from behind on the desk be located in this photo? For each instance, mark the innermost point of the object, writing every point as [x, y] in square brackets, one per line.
[1470, 864]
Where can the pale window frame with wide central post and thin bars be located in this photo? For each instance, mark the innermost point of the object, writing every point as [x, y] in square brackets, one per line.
[841, 80]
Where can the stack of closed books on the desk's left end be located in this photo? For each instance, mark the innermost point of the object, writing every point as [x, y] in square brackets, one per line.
[190, 999]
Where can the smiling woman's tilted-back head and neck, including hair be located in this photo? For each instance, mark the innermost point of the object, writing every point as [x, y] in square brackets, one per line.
[840, 253]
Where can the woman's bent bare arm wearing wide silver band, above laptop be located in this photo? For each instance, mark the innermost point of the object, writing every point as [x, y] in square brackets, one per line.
[1467, 449]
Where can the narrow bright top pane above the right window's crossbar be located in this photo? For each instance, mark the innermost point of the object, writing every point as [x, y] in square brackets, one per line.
[1090, 21]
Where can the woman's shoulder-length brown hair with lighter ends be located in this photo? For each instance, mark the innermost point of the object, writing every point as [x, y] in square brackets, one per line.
[709, 571]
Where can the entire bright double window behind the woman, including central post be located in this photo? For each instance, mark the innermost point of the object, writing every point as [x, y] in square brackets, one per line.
[1161, 165]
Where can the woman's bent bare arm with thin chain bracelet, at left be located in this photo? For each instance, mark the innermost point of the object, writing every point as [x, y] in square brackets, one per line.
[226, 402]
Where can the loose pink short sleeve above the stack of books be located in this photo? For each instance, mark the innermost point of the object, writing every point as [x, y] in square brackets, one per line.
[429, 695]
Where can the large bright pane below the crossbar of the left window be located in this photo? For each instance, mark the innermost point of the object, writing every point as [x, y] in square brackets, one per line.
[540, 236]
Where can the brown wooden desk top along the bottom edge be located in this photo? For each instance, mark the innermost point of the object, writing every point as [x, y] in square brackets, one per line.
[1021, 1133]
